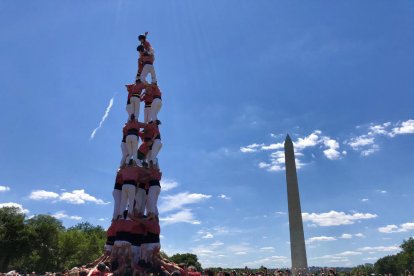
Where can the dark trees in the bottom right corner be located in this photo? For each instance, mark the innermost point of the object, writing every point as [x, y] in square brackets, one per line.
[398, 264]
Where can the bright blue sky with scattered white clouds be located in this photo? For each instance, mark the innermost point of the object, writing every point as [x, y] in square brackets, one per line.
[236, 76]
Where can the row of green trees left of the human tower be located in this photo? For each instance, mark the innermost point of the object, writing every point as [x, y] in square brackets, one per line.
[41, 243]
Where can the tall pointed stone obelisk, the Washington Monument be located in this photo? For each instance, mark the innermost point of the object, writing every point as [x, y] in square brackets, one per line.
[297, 239]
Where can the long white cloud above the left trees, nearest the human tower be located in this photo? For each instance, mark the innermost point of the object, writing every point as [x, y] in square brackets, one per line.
[73, 197]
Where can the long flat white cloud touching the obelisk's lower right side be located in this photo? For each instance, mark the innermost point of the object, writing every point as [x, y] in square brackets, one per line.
[334, 218]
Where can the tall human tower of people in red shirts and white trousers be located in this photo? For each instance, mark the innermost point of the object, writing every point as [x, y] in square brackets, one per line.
[135, 224]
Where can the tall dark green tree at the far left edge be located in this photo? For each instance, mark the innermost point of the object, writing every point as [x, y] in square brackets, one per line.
[14, 238]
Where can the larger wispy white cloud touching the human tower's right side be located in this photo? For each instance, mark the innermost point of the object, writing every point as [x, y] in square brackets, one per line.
[178, 201]
